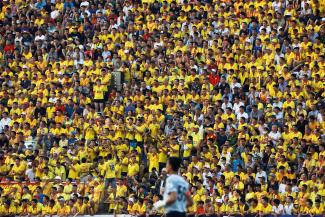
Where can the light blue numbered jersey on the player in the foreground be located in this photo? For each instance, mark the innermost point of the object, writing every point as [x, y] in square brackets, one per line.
[175, 183]
